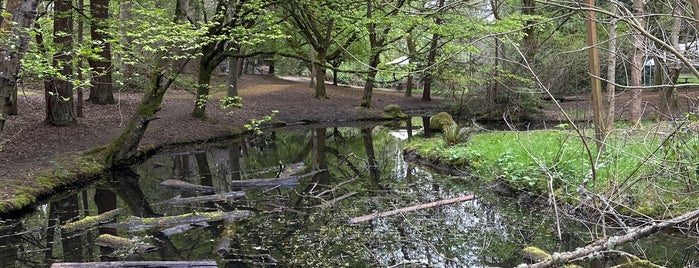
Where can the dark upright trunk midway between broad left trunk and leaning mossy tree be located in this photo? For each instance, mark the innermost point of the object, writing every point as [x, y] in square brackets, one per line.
[101, 90]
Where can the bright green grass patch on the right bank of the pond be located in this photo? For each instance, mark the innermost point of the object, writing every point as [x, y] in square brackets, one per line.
[649, 176]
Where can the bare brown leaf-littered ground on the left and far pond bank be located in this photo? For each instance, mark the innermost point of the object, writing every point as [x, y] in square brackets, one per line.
[28, 145]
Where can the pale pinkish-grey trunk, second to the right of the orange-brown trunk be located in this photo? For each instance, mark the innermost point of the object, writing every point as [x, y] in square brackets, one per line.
[637, 68]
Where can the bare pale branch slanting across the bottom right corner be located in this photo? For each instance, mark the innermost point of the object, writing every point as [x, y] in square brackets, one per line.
[610, 243]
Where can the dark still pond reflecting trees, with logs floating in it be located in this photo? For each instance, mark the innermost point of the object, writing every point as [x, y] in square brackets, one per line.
[334, 175]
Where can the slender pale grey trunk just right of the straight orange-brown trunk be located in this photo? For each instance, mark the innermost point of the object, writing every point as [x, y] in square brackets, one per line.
[611, 72]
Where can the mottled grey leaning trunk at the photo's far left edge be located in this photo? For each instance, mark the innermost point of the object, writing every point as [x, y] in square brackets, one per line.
[12, 30]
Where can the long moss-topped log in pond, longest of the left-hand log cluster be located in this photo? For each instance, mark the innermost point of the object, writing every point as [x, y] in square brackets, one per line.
[138, 224]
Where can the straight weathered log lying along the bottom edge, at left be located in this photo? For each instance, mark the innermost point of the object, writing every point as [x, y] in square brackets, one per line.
[139, 264]
